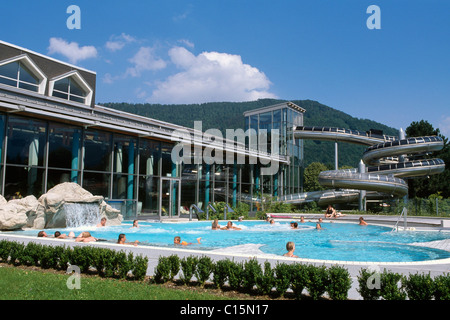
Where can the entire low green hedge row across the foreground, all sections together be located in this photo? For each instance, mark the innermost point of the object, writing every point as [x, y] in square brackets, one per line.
[249, 276]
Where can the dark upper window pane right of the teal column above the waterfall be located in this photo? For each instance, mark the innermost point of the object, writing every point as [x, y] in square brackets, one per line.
[97, 146]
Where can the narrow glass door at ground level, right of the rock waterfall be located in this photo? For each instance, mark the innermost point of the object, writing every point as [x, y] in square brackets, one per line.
[170, 194]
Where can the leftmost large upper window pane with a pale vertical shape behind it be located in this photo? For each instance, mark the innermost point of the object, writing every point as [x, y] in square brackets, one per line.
[26, 141]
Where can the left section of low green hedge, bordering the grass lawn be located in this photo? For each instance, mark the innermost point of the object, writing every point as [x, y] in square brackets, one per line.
[106, 262]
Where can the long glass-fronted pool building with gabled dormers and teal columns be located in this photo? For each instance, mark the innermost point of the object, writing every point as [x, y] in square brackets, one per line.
[52, 132]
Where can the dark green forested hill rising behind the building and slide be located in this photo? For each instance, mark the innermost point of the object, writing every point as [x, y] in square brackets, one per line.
[229, 115]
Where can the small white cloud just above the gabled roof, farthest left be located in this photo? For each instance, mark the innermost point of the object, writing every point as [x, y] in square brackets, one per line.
[72, 50]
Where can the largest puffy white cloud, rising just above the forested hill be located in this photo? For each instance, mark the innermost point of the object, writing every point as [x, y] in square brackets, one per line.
[211, 76]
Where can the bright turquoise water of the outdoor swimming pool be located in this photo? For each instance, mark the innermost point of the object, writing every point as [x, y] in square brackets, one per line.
[336, 241]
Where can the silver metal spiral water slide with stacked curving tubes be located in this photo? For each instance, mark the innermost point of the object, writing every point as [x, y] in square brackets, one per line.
[388, 160]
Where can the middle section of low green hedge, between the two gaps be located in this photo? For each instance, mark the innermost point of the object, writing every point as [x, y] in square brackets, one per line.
[251, 277]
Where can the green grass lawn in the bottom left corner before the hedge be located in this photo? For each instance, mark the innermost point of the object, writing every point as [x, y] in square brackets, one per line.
[27, 284]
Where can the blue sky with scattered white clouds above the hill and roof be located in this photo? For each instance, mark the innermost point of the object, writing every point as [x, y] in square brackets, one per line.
[239, 50]
